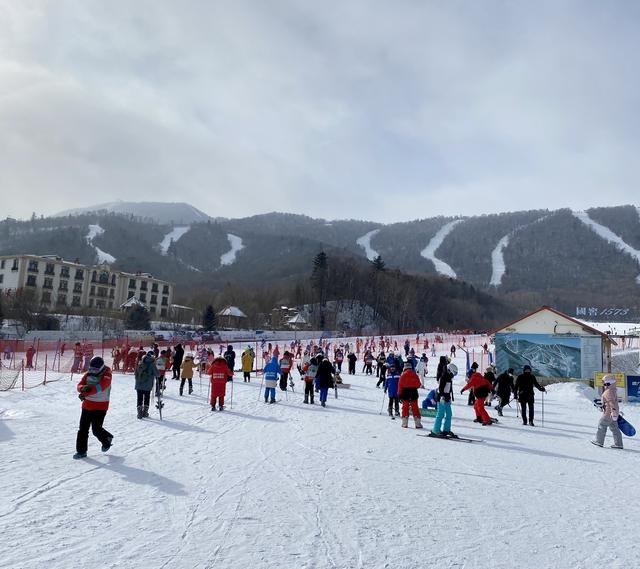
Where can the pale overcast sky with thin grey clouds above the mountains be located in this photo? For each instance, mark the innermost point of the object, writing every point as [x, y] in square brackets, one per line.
[382, 110]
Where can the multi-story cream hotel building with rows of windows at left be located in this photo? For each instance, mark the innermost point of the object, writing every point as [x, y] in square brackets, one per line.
[57, 283]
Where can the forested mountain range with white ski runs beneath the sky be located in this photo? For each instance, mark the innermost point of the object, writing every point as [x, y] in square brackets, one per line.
[565, 258]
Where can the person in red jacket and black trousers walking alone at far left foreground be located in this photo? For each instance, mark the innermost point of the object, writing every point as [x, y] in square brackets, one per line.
[94, 390]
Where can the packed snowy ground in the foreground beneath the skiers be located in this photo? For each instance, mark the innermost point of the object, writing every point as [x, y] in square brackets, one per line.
[291, 485]
